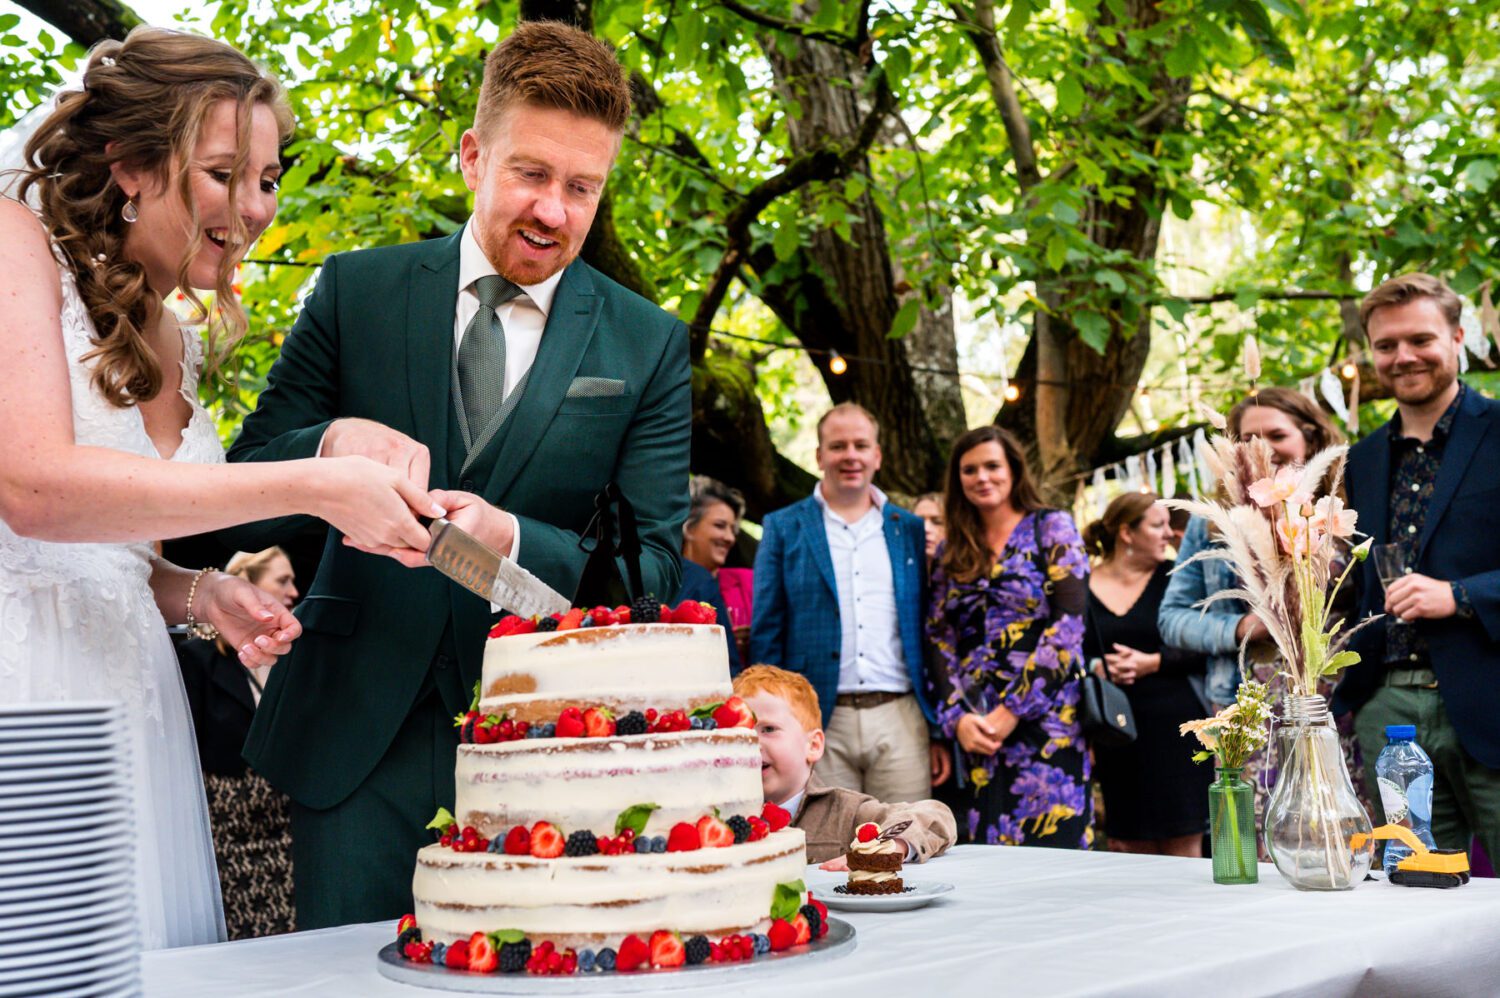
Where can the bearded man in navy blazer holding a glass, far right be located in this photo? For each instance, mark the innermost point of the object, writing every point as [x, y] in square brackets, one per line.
[1429, 485]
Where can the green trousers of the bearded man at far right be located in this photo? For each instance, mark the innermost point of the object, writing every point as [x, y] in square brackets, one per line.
[1466, 795]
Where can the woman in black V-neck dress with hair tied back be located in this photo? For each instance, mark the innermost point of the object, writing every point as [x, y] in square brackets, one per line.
[1156, 796]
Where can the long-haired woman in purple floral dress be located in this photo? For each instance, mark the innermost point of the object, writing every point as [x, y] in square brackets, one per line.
[1010, 586]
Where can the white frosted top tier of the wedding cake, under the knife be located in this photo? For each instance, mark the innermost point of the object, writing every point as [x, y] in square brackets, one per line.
[631, 666]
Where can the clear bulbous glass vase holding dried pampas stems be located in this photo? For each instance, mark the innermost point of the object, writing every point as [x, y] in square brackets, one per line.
[1313, 813]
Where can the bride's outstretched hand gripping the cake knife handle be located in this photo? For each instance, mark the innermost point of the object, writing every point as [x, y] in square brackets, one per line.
[374, 507]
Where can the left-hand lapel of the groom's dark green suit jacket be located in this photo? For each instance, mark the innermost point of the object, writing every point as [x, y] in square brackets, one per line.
[431, 307]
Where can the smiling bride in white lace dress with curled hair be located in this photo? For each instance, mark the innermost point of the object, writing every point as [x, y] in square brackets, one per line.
[158, 173]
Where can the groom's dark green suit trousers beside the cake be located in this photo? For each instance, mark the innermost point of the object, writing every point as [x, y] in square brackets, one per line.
[353, 862]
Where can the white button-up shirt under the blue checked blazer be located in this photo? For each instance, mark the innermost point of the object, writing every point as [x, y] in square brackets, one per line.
[871, 658]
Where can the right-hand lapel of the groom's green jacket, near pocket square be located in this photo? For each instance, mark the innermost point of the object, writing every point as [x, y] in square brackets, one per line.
[569, 331]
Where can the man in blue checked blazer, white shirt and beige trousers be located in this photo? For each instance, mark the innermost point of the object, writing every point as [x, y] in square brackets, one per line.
[841, 586]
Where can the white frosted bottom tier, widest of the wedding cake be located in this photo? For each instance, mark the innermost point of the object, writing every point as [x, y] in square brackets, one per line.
[706, 891]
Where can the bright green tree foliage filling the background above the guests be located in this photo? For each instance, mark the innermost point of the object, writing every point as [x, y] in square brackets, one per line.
[1336, 143]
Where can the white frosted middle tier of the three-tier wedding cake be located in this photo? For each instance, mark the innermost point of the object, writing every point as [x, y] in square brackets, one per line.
[586, 783]
